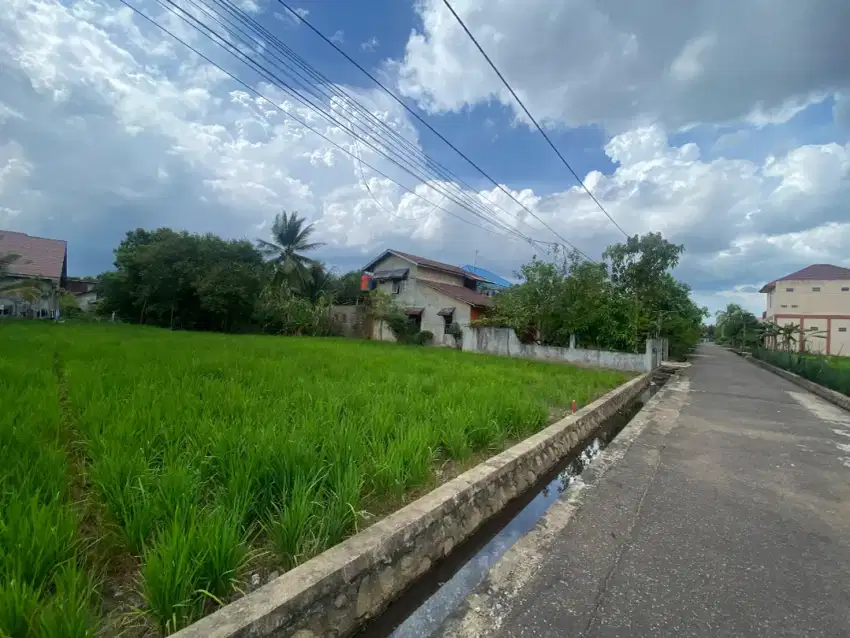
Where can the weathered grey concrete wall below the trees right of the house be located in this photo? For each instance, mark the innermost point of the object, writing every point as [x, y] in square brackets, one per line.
[504, 342]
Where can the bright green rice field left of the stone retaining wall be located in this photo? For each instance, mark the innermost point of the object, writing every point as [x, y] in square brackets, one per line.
[189, 459]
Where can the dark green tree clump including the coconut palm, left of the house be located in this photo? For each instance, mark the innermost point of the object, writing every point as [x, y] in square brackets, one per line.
[187, 281]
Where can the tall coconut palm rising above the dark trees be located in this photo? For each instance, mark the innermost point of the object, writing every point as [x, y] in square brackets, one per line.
[290, 239]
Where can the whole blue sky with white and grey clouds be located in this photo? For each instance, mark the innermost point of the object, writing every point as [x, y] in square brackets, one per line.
[723, 124]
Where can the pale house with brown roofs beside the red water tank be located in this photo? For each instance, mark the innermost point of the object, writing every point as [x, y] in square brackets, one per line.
[432, 293]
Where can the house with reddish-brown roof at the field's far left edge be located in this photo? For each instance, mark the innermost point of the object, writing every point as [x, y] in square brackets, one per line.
[40, 261]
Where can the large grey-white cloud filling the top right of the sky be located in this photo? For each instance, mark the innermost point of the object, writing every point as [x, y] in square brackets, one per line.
[620, 63]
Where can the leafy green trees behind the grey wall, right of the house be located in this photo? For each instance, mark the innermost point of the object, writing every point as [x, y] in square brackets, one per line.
[613, 305]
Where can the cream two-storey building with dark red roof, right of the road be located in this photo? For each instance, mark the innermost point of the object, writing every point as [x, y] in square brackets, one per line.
[817, 298]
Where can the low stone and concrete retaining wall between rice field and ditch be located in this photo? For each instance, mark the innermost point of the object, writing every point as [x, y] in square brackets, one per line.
[336, 592]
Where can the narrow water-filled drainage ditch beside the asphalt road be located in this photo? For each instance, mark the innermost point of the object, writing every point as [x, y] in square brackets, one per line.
[426, 604]
